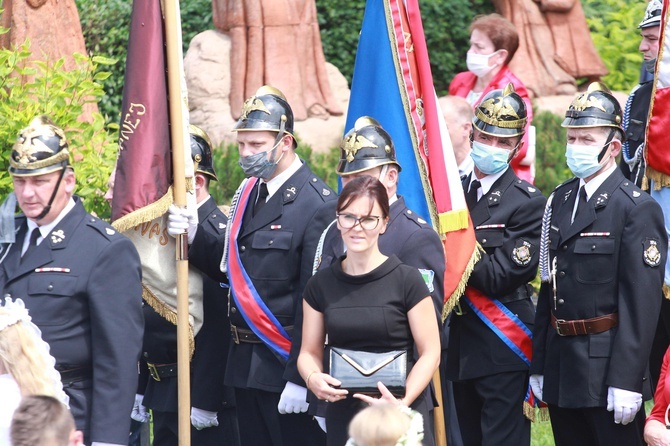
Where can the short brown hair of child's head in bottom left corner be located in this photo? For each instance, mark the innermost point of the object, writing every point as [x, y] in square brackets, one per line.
[41, 420]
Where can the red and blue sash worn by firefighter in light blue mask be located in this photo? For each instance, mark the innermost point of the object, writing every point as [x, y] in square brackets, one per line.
[510, 329]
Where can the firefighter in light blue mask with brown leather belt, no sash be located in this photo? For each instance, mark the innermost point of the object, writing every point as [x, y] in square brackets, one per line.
[603, 252]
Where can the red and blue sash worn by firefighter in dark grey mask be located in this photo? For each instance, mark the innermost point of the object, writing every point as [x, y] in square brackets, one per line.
[254, 311]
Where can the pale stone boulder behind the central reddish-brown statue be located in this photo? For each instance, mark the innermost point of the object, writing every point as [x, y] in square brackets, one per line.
[207, 67]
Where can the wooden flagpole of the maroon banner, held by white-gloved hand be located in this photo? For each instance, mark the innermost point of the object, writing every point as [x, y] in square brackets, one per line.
[172, 33]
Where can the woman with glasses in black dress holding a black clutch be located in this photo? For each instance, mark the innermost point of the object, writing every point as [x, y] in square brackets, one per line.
[368, 302]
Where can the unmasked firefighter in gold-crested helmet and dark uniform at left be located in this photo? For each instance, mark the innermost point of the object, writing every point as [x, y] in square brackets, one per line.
[66, 266]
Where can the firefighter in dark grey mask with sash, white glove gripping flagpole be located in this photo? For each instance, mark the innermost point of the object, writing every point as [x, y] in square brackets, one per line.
[272, 212]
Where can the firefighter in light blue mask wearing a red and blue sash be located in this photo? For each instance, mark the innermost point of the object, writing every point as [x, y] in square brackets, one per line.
[490, 376]
